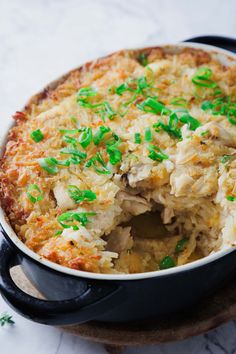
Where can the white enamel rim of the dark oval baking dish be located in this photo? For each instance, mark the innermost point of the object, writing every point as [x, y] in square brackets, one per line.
[228, 57]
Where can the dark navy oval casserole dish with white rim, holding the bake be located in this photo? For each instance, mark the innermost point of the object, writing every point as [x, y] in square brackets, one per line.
[77, 296]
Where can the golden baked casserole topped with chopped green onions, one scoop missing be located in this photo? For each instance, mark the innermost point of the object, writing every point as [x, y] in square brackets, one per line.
[138, 134]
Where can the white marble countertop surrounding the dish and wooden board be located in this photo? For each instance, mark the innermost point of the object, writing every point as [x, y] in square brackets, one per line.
[34, 37]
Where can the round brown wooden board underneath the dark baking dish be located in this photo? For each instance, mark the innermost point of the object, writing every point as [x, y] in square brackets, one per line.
[209, 314]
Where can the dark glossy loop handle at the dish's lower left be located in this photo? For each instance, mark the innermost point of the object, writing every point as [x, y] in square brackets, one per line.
[97, 299]
